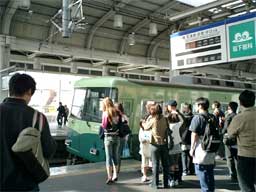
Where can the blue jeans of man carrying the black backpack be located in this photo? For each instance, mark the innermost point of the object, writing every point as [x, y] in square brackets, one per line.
[205, 174]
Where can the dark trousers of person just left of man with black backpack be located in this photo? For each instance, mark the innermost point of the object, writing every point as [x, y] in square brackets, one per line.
[187, 163]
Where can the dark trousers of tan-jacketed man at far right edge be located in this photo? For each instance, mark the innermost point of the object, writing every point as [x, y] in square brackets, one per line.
[246, 172]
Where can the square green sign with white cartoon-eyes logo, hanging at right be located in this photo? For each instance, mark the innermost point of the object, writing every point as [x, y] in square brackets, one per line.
[242, 41]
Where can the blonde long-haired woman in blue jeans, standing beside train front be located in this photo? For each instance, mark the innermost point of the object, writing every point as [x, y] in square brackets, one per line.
[110, 120]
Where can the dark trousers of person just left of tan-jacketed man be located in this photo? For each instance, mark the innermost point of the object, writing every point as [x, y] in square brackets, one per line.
[231, 156]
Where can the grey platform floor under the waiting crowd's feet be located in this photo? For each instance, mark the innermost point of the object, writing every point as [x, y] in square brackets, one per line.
[91, 177]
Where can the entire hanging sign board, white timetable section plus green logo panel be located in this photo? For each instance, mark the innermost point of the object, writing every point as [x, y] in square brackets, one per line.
[229, 40]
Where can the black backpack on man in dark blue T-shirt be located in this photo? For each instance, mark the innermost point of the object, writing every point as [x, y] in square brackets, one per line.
[211, 138]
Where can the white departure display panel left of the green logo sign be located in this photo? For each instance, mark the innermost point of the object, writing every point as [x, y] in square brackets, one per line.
[200, 46]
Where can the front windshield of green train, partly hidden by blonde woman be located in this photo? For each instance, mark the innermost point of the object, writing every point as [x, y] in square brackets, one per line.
[93, 102]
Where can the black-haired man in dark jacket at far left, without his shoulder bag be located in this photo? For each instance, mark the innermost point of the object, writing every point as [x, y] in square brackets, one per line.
[16, 115]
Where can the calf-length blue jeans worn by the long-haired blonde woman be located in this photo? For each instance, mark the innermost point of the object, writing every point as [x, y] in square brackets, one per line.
[112, 144]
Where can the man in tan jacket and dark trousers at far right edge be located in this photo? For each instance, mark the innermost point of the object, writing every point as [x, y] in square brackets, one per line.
[243, 127]
